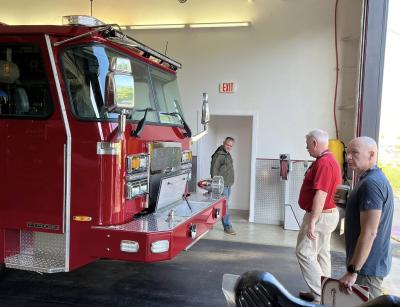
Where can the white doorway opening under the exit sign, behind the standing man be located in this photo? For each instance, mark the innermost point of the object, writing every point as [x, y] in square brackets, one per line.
[241, 128]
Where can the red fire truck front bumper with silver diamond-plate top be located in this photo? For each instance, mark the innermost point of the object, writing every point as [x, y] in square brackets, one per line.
[161, 235]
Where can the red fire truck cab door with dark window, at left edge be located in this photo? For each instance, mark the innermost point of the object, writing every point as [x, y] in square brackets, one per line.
[32, 138]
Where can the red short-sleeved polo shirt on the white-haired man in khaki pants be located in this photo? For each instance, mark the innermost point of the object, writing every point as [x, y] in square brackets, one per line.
[323, 174]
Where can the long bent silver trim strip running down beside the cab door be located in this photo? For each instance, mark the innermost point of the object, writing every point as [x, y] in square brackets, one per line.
[67, 162]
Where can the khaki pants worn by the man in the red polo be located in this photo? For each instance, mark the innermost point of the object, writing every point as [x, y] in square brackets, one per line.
[314, 255]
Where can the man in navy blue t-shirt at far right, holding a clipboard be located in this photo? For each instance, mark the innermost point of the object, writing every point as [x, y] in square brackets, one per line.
[368, 222]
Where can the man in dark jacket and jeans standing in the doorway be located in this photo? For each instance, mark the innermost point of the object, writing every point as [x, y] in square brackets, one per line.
[222, 165]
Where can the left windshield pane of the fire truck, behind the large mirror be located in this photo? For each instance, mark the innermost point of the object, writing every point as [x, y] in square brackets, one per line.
[86, 69]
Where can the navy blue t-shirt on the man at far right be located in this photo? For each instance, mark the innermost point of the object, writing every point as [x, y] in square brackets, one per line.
[372, 192]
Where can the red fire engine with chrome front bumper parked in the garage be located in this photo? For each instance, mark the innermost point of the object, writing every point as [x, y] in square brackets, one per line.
[95, 151]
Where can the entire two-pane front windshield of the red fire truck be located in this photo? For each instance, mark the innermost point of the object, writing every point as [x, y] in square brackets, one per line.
[86, 69]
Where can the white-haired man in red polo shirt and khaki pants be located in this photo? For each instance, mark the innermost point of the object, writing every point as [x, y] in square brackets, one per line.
[321, 217]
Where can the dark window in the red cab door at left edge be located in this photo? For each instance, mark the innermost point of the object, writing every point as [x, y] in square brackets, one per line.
[24, 89]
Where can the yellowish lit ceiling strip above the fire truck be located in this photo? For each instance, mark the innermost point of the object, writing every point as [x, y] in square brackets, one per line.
[128, 12]
